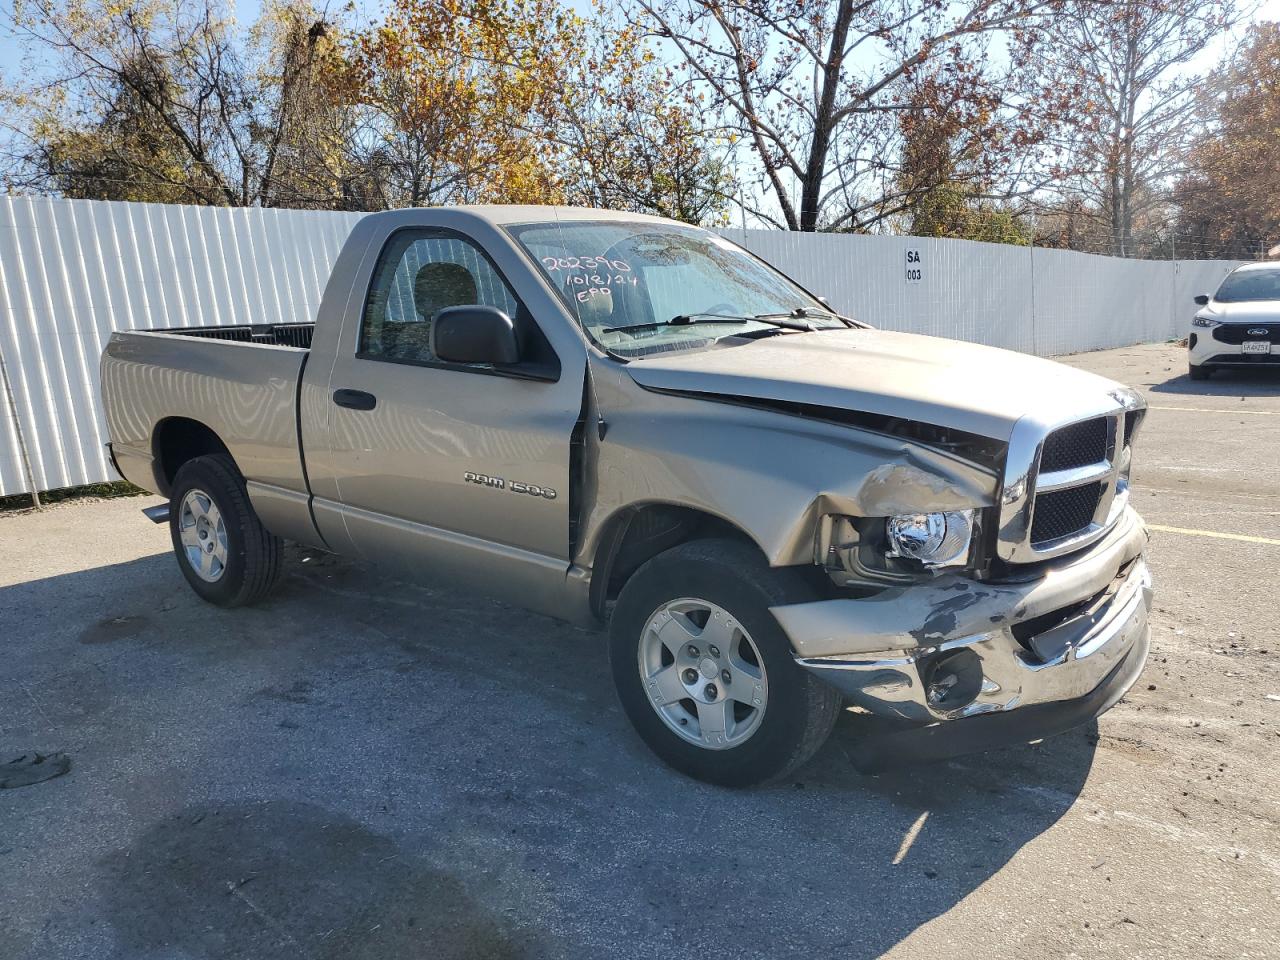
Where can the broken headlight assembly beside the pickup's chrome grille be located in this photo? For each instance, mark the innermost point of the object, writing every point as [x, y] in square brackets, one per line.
[880, 551]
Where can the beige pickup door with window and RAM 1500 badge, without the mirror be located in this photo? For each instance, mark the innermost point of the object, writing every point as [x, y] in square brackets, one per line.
[455, 472]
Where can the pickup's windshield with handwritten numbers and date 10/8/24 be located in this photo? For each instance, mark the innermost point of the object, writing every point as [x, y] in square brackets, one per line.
[641, 289]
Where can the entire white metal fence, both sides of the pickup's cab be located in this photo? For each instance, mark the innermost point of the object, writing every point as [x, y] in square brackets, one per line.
[74, 271]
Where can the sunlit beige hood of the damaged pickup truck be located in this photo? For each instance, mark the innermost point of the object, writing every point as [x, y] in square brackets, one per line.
[932, 381]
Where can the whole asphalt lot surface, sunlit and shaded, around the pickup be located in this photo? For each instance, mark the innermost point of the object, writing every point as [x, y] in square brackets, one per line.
[368, 769]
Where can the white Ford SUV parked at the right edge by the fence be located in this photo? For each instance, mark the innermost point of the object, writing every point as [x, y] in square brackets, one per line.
[1241, 324]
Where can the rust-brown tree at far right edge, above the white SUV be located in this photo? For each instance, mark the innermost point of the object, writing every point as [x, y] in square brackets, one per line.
[1231, 198]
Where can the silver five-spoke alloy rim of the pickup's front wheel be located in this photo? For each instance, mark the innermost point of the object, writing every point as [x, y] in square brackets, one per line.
[703, 674]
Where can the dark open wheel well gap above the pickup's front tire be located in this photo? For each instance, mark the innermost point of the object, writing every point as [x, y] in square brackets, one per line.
[641, 534]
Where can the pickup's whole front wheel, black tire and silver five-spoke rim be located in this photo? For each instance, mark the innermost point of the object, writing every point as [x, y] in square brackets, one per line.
[706, 674]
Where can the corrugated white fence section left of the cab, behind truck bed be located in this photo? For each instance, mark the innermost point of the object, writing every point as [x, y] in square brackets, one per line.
[72, 272]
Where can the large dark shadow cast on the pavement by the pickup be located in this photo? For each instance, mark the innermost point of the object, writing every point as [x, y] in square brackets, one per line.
[367, 769]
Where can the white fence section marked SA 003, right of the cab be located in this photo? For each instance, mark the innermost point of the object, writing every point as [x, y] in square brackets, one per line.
[1034, 300]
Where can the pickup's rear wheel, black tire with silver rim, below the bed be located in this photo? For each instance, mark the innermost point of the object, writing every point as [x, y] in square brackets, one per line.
[240, 561]
